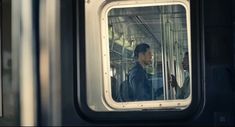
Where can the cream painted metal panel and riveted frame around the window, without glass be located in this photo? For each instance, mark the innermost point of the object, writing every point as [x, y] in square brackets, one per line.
[97, 56]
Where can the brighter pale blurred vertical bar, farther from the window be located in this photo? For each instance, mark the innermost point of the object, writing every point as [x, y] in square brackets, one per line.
[27, 69]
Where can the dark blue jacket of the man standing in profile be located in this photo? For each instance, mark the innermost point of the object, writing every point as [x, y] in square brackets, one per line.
[138, 80]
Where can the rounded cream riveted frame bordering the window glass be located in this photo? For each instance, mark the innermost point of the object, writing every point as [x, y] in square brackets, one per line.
[153, 104]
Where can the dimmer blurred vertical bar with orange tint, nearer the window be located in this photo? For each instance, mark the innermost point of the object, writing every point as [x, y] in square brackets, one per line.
[50, 65]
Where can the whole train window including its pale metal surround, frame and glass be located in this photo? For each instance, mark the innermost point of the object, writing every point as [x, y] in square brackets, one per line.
[144, 56]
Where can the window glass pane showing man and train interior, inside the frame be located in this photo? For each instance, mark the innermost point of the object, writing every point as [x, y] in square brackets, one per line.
[159, 71]
